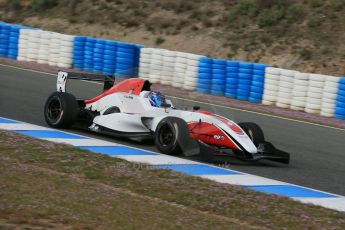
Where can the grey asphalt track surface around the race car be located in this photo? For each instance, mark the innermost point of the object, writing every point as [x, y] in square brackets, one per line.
[317, 152]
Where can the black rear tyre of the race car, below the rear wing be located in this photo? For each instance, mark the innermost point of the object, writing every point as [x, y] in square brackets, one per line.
[61, 110]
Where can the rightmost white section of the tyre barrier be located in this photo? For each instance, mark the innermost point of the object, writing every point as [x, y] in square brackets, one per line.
[312, 93]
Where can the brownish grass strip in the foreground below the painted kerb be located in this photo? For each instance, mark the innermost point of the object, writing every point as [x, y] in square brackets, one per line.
[44, 184]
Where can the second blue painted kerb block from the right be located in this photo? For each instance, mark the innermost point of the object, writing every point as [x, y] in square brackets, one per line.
[198, 169]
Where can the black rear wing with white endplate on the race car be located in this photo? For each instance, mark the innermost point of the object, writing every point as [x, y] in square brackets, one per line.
[63, 76]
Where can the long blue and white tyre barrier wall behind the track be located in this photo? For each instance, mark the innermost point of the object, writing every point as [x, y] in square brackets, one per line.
[258, 83]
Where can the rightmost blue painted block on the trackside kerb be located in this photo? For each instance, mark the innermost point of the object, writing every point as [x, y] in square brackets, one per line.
[290, 191]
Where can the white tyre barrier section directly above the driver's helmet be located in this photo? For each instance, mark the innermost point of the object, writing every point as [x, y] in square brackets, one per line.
[177, 69]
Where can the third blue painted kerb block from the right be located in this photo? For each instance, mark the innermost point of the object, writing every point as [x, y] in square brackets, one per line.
[117, 150]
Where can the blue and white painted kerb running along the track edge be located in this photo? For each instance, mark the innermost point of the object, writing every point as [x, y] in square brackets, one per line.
[218, 174]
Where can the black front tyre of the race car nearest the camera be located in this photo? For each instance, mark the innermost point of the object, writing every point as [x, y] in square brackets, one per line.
[170, 135]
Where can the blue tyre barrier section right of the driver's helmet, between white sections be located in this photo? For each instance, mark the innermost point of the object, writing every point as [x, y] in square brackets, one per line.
[240, 80]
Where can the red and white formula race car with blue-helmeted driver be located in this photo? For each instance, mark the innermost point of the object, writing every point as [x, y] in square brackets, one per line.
[130, 109]
